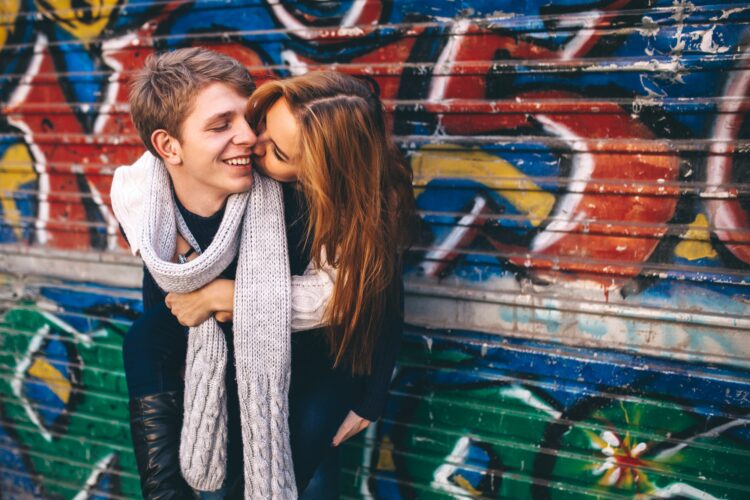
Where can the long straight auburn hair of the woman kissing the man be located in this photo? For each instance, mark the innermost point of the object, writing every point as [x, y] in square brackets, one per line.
[360, 200]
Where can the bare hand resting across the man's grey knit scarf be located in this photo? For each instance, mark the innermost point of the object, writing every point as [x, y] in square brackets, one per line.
[192, 309]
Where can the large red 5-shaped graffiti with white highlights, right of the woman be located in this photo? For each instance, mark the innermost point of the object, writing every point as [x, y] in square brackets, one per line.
[605, 144]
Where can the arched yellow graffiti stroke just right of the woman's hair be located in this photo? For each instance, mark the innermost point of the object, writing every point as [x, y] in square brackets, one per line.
[435, 161]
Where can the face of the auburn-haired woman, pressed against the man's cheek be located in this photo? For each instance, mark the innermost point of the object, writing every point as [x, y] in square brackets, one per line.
[275, 152]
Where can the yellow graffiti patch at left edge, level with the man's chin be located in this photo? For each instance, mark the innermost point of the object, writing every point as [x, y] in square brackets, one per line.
[16, 169]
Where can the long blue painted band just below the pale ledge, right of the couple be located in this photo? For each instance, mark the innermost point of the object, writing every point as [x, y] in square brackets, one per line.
[575, 370]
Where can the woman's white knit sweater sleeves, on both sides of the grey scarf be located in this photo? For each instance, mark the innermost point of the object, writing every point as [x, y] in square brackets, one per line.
[310, 292]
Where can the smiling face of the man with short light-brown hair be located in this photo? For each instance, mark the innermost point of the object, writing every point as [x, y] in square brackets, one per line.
[215, 145]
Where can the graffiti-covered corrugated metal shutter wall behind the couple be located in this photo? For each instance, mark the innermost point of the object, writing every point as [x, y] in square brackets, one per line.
[577, 293]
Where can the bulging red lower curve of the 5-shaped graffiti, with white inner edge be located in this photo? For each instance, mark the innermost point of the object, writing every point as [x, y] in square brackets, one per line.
[600, 225]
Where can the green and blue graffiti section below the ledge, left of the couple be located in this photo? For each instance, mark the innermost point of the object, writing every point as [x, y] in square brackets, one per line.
[64, 431]
